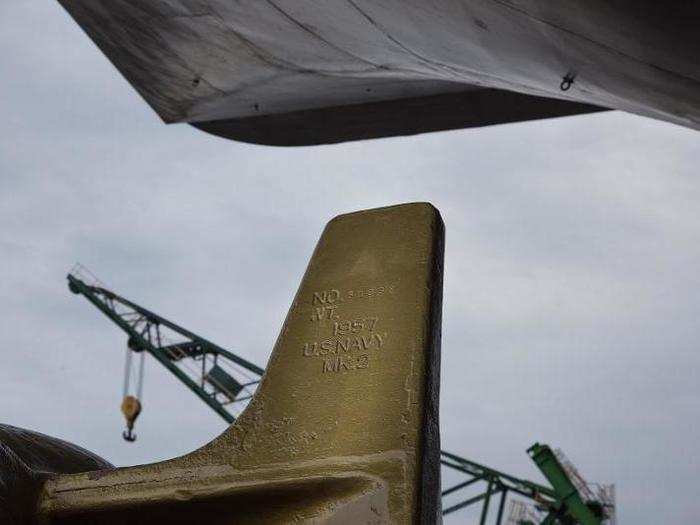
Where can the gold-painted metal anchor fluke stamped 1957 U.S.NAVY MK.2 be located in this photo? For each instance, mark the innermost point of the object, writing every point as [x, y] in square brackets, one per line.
[343, 434]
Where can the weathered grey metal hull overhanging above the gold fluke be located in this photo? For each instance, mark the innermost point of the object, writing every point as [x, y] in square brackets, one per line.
[347, 69]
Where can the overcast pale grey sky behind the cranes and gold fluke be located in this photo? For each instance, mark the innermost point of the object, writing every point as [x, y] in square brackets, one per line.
[571, 286]
